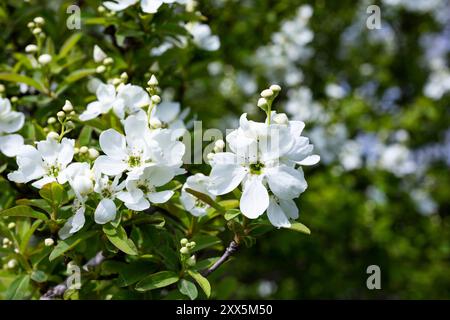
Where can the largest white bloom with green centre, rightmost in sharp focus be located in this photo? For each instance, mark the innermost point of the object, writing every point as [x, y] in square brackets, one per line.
[264, 157]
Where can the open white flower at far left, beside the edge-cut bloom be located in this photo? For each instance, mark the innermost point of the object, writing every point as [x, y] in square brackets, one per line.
[45, 163]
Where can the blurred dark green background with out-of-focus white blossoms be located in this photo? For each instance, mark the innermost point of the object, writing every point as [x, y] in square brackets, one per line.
[376, 106]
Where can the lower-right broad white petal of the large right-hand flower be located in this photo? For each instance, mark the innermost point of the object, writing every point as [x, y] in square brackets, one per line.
[286, 182]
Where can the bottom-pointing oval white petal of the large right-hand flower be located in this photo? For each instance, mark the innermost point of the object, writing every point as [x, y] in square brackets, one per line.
[255, 198]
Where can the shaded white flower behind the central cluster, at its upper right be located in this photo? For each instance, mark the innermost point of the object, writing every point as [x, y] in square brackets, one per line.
[168, 113]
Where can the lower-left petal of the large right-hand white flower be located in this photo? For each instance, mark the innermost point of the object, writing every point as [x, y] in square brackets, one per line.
[225, 178]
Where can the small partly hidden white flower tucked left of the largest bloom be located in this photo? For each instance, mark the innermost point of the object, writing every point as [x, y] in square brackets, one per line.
[200, 183]
